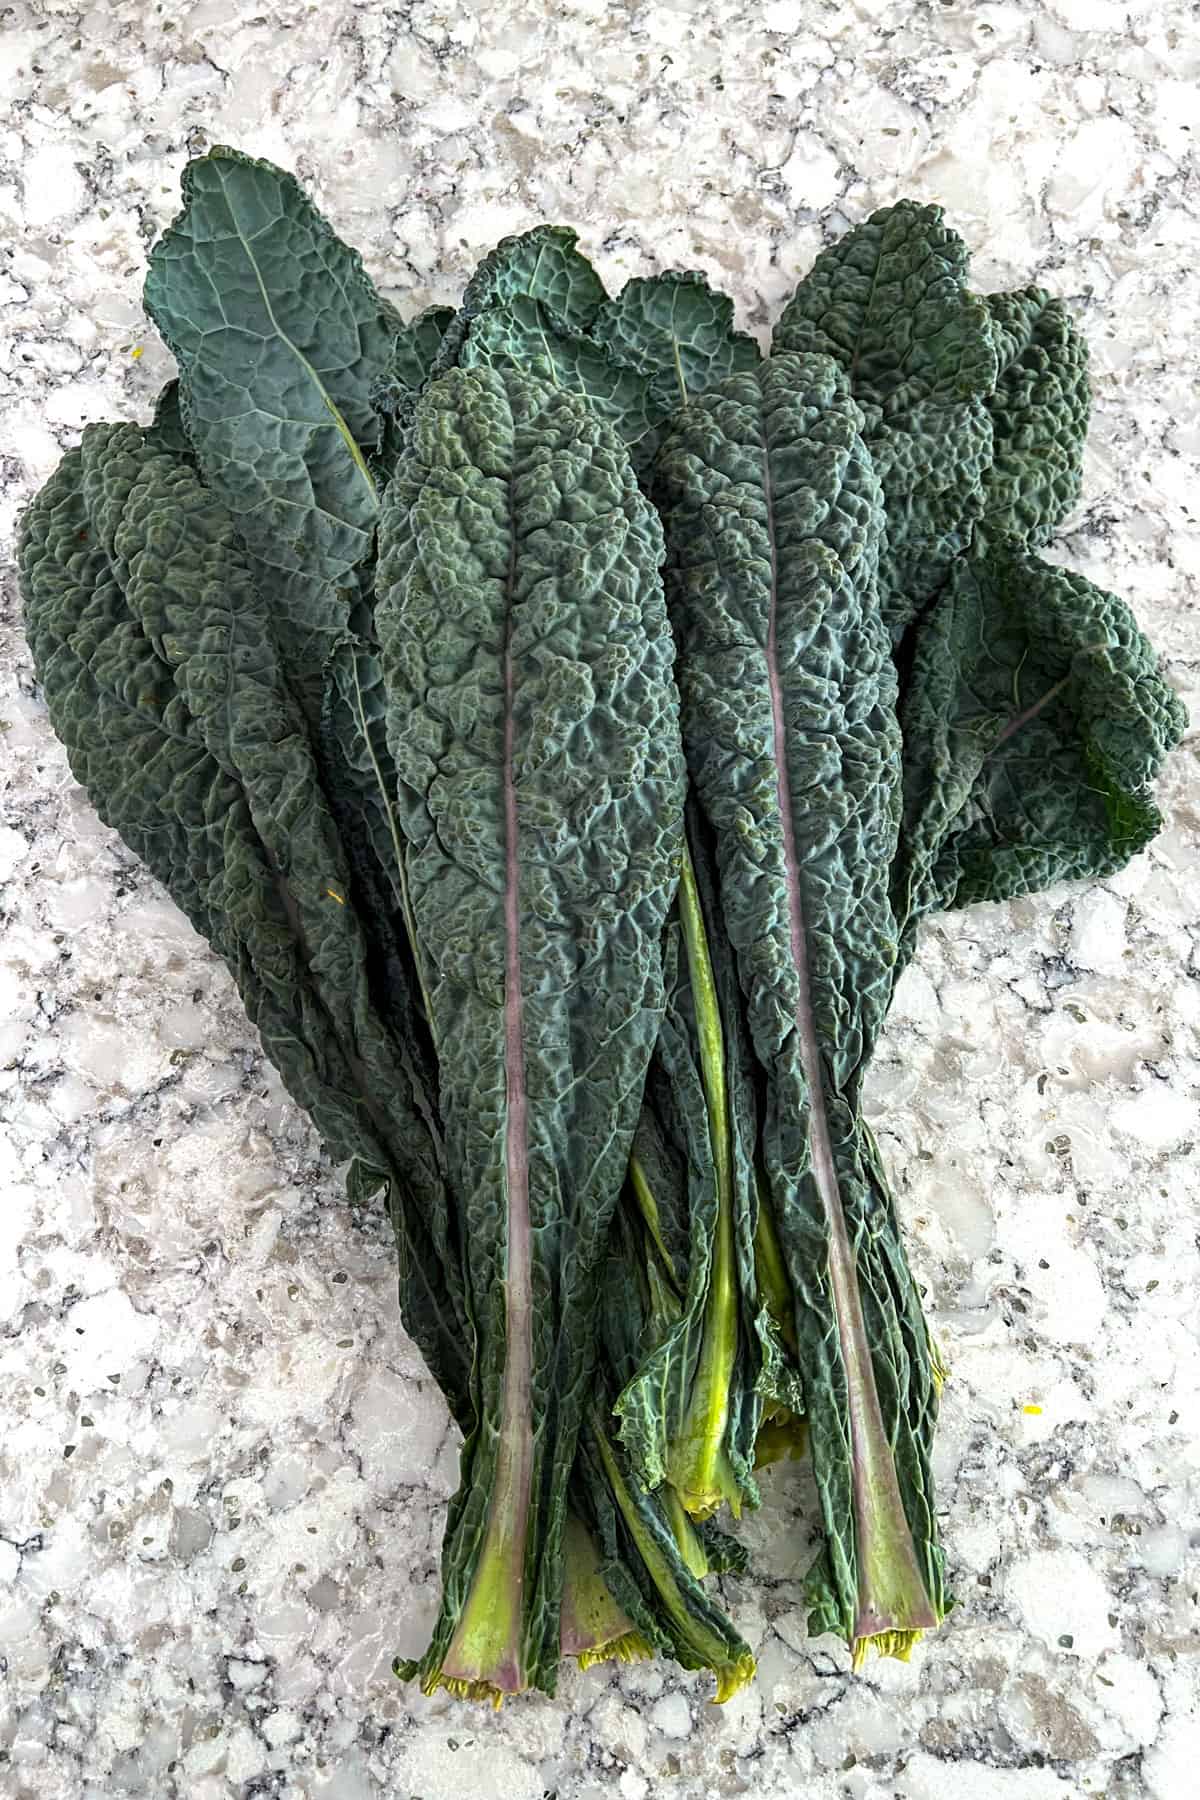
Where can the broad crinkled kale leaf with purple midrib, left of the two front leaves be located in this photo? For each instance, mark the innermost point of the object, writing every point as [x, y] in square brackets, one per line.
[532, 723]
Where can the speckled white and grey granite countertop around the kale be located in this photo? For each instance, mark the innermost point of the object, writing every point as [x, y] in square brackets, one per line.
[224, 1468]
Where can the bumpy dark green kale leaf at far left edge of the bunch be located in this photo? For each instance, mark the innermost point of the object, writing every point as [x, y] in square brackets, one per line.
[157, 660]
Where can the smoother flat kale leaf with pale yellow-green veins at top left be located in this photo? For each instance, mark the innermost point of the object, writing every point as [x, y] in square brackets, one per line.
[282, 343]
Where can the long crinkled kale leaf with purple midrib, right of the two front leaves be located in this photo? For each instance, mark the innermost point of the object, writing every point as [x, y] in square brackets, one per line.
[775, 523]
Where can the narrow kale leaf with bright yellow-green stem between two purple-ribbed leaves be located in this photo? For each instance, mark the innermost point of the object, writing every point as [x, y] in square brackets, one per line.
[717, 1392]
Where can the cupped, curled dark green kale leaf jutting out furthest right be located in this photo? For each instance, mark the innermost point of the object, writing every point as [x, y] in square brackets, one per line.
[1035, 723]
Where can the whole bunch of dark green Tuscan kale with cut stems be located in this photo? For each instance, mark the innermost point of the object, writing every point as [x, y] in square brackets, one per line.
[560, 717]
